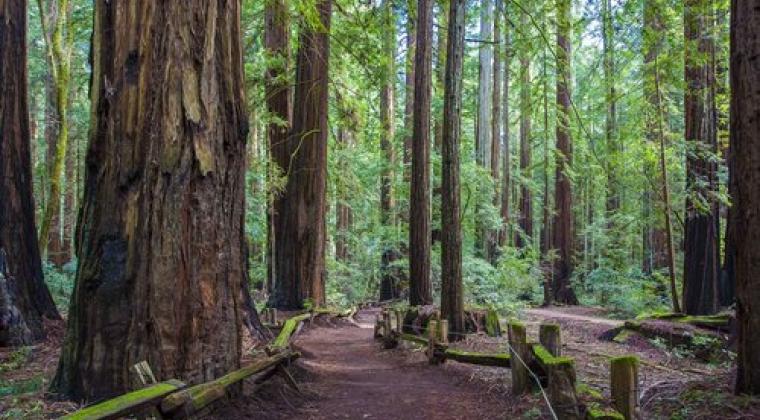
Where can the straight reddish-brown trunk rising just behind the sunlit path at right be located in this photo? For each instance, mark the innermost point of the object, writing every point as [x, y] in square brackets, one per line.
[563, 238]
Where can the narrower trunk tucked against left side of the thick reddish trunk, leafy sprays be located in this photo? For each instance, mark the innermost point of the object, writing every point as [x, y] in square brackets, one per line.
[280, 109]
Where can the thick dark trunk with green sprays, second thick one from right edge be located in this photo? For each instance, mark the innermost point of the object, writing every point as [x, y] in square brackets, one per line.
[701, 252]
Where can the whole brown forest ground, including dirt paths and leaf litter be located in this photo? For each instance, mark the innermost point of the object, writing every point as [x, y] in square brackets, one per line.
[345, 374]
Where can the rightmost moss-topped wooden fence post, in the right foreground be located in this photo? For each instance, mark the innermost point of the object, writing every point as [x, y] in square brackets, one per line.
[624, 377]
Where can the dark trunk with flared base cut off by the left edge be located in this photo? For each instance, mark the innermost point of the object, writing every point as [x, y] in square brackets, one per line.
[24, 297]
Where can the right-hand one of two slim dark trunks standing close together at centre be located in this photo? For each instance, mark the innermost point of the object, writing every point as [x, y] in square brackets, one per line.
[452, 297]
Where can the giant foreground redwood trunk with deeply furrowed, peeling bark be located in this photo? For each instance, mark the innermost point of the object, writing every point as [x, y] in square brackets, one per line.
[161, 242]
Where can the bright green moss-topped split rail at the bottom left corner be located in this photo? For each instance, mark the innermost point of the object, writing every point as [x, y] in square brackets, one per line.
[131, 403]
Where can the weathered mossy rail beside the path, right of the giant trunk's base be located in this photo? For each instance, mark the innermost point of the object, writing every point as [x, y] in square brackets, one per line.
[190, 401]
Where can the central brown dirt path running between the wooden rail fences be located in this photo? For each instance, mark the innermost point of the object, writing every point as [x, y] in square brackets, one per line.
[353, 378]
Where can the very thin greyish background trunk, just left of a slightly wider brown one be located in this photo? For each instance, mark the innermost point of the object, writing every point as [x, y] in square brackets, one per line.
[506, 189]
